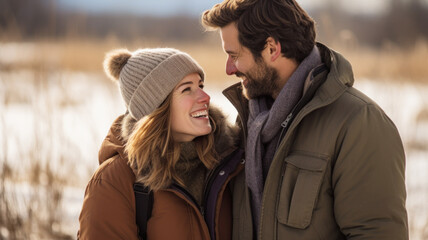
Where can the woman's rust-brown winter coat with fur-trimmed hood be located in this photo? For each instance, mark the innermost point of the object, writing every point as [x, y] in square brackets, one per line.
[108, 210]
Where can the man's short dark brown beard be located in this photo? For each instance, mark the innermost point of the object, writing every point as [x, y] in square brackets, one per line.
[261, 81]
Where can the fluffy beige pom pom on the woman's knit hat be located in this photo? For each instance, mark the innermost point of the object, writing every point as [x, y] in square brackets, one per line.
[115, 61]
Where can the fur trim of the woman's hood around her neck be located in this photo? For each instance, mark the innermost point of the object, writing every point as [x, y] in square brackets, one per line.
[226, 136]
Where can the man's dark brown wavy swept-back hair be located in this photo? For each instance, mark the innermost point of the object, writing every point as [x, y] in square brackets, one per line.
[256, 20]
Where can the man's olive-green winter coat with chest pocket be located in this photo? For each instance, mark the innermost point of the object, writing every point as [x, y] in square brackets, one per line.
[338, 172]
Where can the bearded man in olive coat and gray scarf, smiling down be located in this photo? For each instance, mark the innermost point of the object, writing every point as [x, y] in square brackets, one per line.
[323, 161]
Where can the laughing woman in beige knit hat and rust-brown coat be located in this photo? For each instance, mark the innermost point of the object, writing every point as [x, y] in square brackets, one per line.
[170, 140]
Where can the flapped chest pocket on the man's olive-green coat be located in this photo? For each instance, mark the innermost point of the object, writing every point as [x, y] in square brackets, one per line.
[300, 188]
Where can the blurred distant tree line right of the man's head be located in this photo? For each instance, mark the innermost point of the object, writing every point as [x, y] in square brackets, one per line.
[403, 23]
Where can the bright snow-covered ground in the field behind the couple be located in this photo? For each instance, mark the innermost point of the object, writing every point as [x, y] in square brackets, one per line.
[64, 118]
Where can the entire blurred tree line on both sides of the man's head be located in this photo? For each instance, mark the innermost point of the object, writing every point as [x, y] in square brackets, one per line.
[403, 23]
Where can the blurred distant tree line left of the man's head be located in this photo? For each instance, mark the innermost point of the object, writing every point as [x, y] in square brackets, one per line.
[40, 19]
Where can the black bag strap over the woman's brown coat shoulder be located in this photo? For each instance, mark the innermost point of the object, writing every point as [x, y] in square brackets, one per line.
[143, 206]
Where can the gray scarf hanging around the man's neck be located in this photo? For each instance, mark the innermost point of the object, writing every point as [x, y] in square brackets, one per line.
[264, 126]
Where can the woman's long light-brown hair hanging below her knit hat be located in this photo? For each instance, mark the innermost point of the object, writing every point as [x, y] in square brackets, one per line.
[153, 153]
